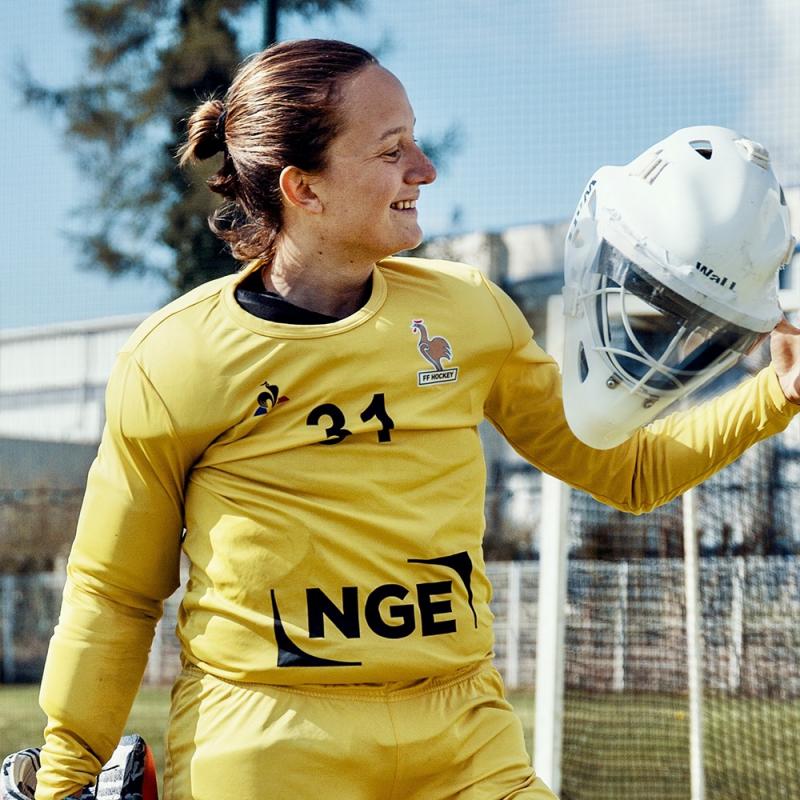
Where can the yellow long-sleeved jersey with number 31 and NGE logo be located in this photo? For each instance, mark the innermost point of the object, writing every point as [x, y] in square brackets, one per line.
[326, 483]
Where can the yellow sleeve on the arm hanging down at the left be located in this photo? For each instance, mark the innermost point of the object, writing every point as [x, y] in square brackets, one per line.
[124, 563]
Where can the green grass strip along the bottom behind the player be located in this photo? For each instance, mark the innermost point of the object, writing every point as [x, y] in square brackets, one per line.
[616, 746]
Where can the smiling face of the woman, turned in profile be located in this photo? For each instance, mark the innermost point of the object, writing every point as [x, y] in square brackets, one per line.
[374, 171]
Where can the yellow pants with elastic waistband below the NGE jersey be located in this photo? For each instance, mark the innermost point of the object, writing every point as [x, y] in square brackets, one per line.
[446, 738]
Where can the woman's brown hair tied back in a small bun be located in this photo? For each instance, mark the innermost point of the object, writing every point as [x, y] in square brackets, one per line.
[280, 110]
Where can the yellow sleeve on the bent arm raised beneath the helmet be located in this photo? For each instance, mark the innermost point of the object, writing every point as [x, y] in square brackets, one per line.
[660, 462]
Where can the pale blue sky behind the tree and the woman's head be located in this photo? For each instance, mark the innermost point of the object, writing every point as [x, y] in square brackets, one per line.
[542, 91]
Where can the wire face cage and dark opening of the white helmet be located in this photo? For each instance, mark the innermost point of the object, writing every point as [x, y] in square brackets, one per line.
[668, 346]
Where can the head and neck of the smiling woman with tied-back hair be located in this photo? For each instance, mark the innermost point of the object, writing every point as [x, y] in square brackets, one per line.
[321, 166]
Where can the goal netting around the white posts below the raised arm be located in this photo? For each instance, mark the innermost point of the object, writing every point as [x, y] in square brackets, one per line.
[626, 723]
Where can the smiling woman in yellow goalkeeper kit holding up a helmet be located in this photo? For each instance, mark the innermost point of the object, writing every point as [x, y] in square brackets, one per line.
[311, 424]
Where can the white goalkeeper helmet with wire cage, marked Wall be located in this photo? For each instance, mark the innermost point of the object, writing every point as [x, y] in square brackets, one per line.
[671, 267]
